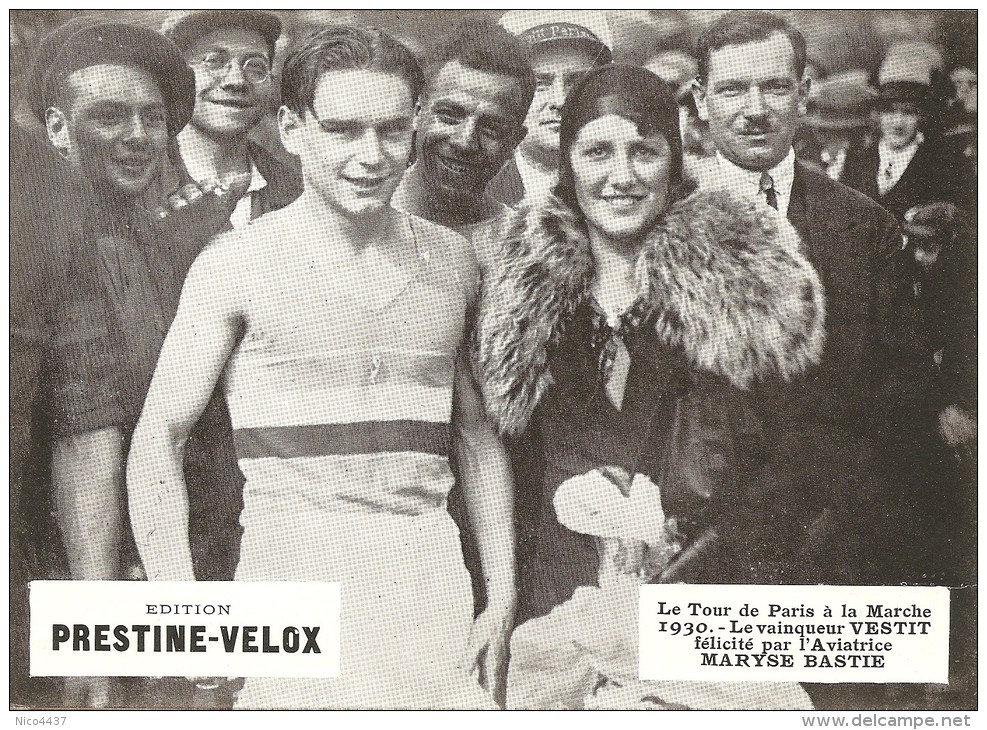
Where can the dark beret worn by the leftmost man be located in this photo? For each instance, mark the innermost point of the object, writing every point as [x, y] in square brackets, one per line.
[86, 41]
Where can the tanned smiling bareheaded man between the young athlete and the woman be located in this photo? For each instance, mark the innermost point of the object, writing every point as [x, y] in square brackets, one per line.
[468, 122]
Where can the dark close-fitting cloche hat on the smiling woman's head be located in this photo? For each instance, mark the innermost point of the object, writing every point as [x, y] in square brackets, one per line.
[630, 92]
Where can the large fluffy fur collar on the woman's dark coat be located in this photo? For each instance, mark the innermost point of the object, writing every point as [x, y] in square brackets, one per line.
[730, 285]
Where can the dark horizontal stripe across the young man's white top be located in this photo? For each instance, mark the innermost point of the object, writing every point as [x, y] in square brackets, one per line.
[340, 439]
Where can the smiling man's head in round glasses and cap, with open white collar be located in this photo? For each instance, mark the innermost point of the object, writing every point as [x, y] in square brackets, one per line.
[231, 53]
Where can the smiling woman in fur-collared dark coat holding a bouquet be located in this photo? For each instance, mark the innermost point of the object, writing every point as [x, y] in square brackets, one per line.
[621, 326]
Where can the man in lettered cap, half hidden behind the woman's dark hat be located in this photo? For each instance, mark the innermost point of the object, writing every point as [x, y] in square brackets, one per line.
[563, 46]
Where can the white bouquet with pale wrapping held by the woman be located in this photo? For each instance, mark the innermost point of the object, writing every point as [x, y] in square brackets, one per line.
[584, 654]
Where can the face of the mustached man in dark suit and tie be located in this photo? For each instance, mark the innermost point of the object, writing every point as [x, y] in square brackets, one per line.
[753, 100]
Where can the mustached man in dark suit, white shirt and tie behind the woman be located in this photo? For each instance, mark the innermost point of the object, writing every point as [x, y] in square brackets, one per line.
[833, 424]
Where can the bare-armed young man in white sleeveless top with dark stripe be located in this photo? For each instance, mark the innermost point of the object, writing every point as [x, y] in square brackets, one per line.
[338, 328]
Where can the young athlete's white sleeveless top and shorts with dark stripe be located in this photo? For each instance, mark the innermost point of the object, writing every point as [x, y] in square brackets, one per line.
[340, 395]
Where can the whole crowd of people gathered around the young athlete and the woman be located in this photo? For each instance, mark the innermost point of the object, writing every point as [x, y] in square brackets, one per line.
[491, 336]
